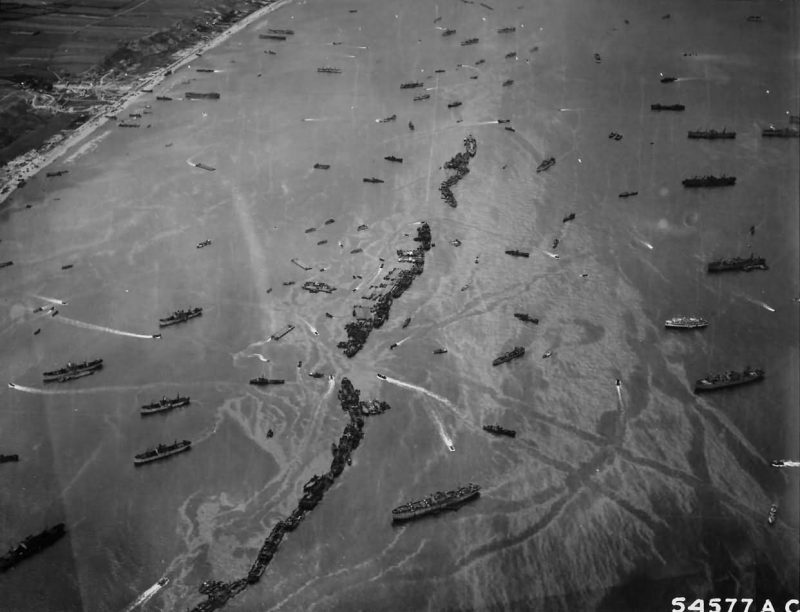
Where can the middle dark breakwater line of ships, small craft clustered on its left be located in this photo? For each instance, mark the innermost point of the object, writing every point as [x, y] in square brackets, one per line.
[397, 281]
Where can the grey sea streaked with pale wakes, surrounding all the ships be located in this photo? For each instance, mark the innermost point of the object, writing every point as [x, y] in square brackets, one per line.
[602, 501]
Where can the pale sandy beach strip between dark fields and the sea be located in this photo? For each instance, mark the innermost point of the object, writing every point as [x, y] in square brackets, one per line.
[29, 164]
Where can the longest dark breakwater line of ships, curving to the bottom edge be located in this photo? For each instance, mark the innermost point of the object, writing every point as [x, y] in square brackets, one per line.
[218, 592]
